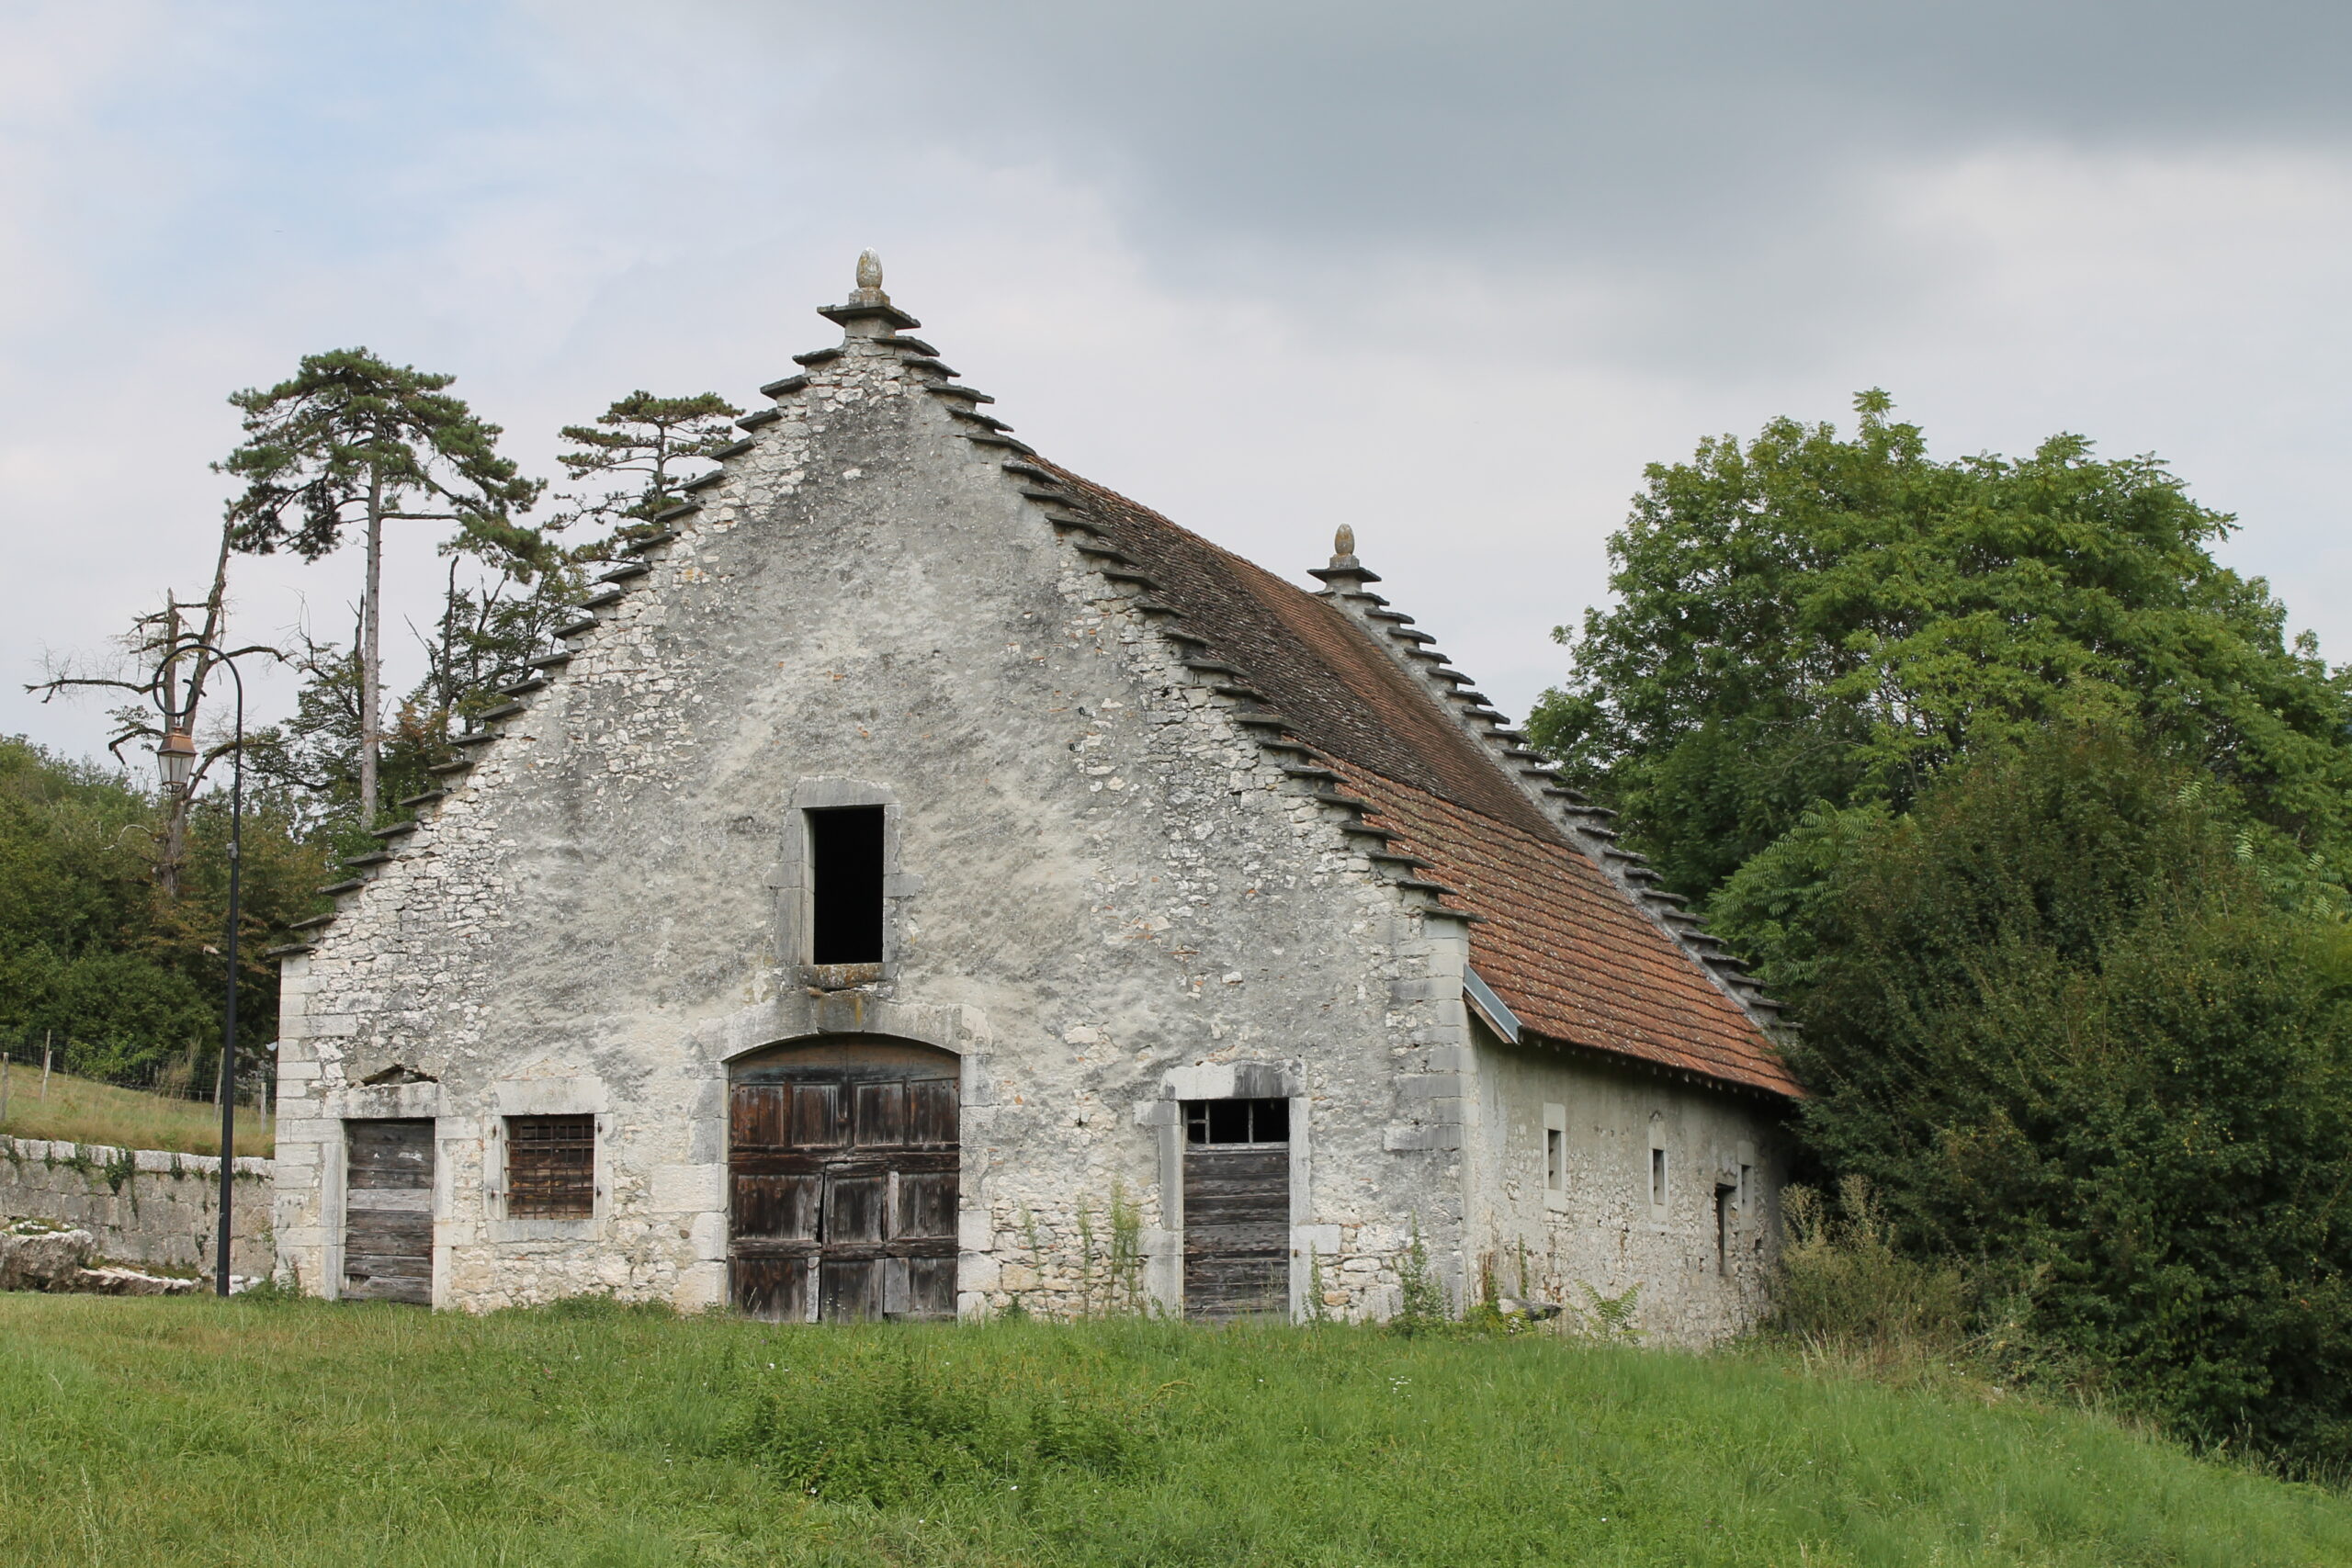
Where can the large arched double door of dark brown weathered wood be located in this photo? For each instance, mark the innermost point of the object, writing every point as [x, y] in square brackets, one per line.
[843, 1170]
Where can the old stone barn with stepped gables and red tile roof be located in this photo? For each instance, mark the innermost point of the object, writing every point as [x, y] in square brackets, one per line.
[928, 883]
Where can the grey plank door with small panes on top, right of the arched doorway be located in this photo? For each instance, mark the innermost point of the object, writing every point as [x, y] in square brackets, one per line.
[1236, 1209]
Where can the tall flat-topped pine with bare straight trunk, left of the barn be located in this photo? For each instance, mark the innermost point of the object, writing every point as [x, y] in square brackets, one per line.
[356, 441]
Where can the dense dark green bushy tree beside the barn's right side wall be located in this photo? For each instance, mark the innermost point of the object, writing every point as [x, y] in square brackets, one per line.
[2080, 1024]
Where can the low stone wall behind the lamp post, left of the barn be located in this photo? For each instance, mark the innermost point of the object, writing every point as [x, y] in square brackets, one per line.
[140, 1205]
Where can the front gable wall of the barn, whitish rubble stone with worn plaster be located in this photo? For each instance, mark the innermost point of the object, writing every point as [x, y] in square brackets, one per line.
[1104, 885]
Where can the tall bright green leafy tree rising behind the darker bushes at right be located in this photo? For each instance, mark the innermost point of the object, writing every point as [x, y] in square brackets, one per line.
[1831, 619]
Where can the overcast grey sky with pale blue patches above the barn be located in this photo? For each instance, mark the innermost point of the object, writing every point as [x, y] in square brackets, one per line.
[1452, 274]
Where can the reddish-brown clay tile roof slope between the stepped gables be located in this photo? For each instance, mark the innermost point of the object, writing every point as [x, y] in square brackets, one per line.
[1565, 949]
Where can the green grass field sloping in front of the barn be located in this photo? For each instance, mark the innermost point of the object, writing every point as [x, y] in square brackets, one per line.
[300, 1433]
